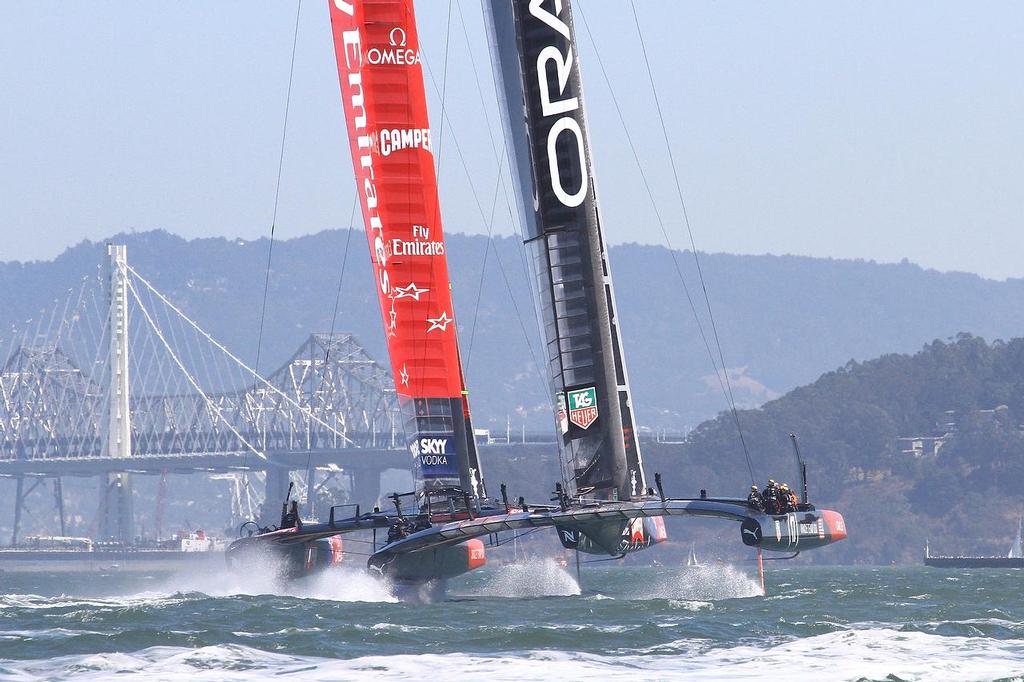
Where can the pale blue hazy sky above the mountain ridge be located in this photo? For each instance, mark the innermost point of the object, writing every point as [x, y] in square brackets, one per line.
[859, 131]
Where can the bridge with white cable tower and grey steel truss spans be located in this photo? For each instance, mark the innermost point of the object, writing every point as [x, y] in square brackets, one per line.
[116, 380]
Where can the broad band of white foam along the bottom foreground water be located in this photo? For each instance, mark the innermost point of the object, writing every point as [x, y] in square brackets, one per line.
[876, 654]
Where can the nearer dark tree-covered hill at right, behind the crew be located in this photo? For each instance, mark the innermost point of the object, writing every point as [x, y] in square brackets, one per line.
[965, 498]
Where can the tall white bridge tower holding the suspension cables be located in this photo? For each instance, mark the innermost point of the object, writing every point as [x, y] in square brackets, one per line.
[116, 514]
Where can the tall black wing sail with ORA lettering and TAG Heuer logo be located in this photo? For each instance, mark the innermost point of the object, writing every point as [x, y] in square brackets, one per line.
[537, 68]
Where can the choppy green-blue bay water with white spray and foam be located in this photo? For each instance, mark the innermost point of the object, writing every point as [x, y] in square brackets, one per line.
[522, 622]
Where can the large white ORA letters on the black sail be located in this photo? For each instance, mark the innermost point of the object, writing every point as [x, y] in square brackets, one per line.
[556, 103]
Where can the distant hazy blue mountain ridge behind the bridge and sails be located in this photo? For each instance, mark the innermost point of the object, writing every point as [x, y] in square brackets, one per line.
[783, 320]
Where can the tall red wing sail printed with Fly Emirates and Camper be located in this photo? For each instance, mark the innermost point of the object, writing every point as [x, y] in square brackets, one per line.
[382, 90]
